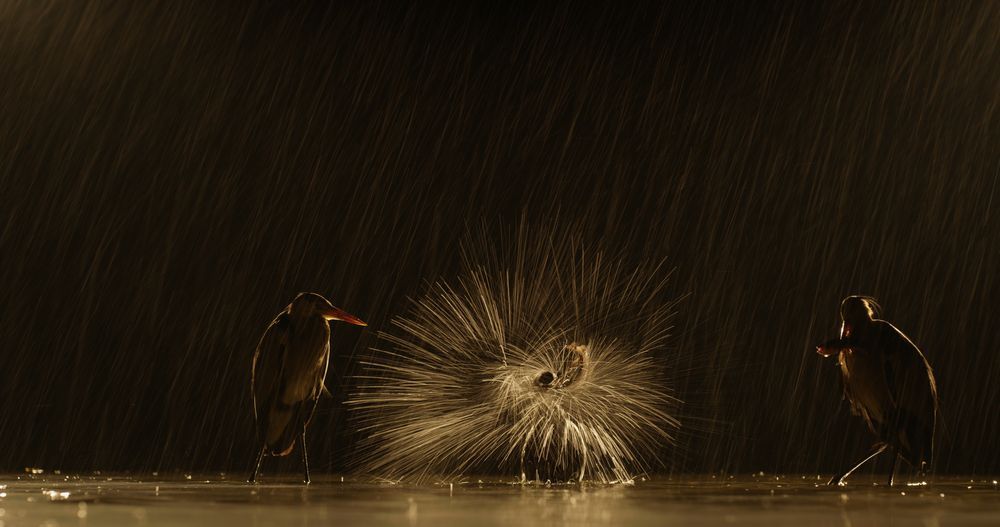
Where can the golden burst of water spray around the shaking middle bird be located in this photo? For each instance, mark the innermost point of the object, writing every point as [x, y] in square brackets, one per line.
[543, 362]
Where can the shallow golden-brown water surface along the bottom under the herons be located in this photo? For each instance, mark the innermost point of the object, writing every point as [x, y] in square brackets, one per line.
[56, 499]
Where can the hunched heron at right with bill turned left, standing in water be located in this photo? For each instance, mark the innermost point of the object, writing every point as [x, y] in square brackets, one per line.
[888, 382]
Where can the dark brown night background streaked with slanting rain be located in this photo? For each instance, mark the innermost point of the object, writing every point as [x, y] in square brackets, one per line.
[173, 172]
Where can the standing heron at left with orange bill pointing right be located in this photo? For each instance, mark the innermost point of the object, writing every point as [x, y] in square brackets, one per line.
[289, 368]
